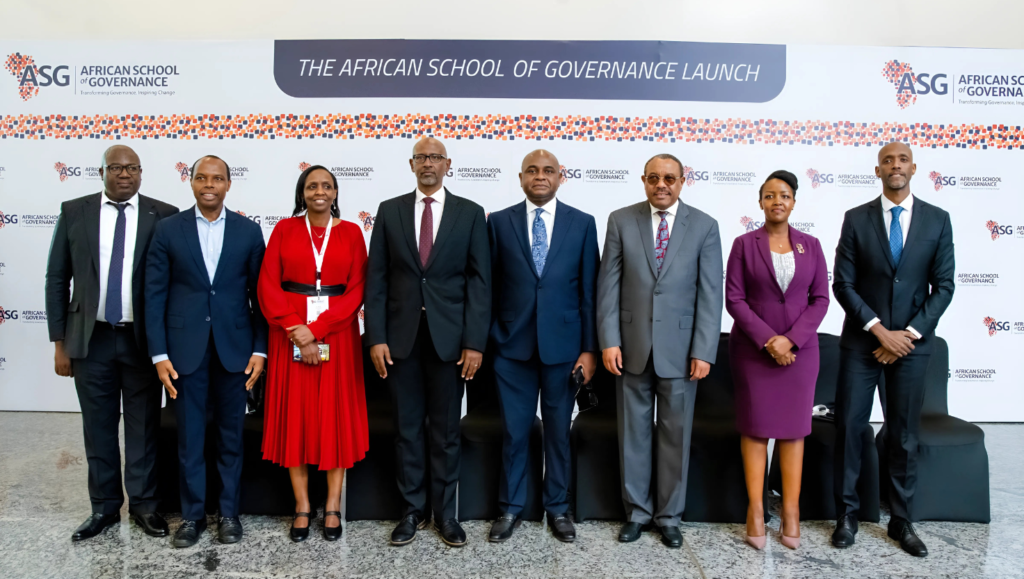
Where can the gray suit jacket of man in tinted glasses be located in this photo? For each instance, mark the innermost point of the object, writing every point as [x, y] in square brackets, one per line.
[676, 313]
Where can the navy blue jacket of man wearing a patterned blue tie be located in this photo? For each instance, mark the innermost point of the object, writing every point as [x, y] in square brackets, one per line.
[553, 314]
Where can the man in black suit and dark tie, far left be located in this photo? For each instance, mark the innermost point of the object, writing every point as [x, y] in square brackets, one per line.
[99, 336]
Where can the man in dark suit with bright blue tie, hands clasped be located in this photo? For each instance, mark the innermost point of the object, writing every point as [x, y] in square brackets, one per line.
[894, 278]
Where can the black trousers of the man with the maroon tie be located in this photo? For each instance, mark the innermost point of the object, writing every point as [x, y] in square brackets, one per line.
[425, 387]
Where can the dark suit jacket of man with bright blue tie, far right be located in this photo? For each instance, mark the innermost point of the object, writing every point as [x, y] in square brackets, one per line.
[868, 284]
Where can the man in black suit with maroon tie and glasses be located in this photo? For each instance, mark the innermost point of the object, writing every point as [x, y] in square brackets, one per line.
[428, 315]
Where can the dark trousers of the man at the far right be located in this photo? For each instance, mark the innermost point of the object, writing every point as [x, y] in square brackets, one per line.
[905, 396]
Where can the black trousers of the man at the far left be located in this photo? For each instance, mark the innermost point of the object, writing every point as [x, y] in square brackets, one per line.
[115, 373]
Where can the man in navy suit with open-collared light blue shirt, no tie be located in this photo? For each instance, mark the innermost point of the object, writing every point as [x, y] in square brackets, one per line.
[207, 338]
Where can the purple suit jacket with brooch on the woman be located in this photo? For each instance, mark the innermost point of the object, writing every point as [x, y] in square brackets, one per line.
[759, 307]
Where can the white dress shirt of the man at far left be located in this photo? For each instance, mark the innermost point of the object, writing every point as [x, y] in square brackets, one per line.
[108, 222]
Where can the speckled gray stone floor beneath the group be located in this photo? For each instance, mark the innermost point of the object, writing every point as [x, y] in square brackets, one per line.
[44, 498]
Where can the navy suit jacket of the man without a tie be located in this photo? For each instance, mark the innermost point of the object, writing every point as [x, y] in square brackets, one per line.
[183, 307]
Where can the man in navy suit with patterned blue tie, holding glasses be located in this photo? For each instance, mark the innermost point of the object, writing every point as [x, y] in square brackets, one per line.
[544, 260]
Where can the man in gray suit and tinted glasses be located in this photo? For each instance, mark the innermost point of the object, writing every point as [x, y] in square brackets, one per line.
[659, 306]
